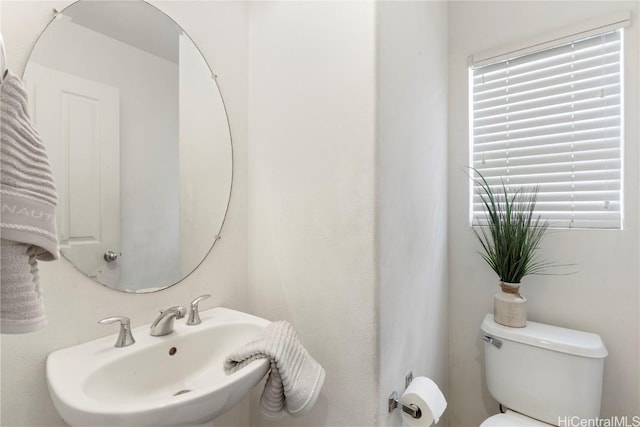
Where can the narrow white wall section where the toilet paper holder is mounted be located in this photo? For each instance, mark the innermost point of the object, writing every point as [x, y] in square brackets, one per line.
[411, 198]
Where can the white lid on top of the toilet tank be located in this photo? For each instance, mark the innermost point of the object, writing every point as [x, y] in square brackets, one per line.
[549, 337]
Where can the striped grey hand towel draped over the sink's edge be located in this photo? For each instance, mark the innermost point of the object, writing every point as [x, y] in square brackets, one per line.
[295, 380]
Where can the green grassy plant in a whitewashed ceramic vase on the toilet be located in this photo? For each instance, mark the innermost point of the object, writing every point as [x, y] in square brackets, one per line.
[509, 239]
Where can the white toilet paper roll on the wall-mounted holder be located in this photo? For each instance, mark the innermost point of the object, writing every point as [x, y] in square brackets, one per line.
[425, 394]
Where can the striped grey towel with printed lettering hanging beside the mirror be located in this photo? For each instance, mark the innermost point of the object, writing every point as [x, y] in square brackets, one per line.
[27, 221]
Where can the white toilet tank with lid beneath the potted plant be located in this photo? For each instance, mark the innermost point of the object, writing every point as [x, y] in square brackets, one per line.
[543, 371]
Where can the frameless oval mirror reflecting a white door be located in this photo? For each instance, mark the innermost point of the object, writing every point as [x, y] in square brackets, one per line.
[138, 139]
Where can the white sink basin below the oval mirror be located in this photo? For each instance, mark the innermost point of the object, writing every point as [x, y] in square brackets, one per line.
[174, 380]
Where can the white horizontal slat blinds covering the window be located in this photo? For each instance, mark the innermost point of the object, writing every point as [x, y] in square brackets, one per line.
[554, 118]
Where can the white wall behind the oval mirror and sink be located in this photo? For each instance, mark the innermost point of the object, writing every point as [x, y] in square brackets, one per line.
[73, 303]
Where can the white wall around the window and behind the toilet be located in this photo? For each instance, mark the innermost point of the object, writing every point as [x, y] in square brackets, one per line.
[603, 297]
